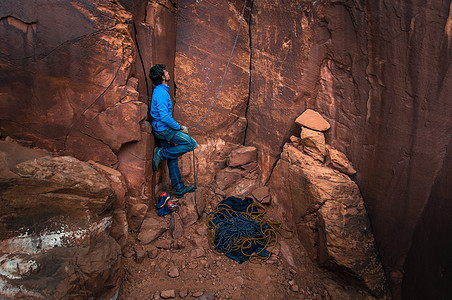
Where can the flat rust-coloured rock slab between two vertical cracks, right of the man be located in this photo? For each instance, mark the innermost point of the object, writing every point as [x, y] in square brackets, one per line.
[206, 32]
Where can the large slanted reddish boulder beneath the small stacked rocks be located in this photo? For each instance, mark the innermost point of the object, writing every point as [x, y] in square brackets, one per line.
[330, 217]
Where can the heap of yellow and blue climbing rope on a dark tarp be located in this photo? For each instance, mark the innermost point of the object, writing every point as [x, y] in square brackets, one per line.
[244, 235]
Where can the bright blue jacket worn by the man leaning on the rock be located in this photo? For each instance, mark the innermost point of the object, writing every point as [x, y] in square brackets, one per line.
[162, 109]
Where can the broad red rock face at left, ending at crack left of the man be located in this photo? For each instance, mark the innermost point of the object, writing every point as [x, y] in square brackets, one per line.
[65, 63]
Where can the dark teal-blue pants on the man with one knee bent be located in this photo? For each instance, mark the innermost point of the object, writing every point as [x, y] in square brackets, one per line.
[174, 144]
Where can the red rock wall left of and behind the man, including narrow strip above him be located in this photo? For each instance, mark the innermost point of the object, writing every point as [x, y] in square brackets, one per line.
[74, 78]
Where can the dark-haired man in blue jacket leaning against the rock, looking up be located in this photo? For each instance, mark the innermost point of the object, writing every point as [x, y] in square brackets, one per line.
[174, 137]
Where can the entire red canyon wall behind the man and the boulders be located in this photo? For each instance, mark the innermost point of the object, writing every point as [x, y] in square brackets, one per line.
[378, 71]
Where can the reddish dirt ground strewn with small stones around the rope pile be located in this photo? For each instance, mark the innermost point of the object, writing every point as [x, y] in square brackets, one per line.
[187, 268]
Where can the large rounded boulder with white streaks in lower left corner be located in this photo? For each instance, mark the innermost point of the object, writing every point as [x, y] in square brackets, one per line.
[58, 212]
